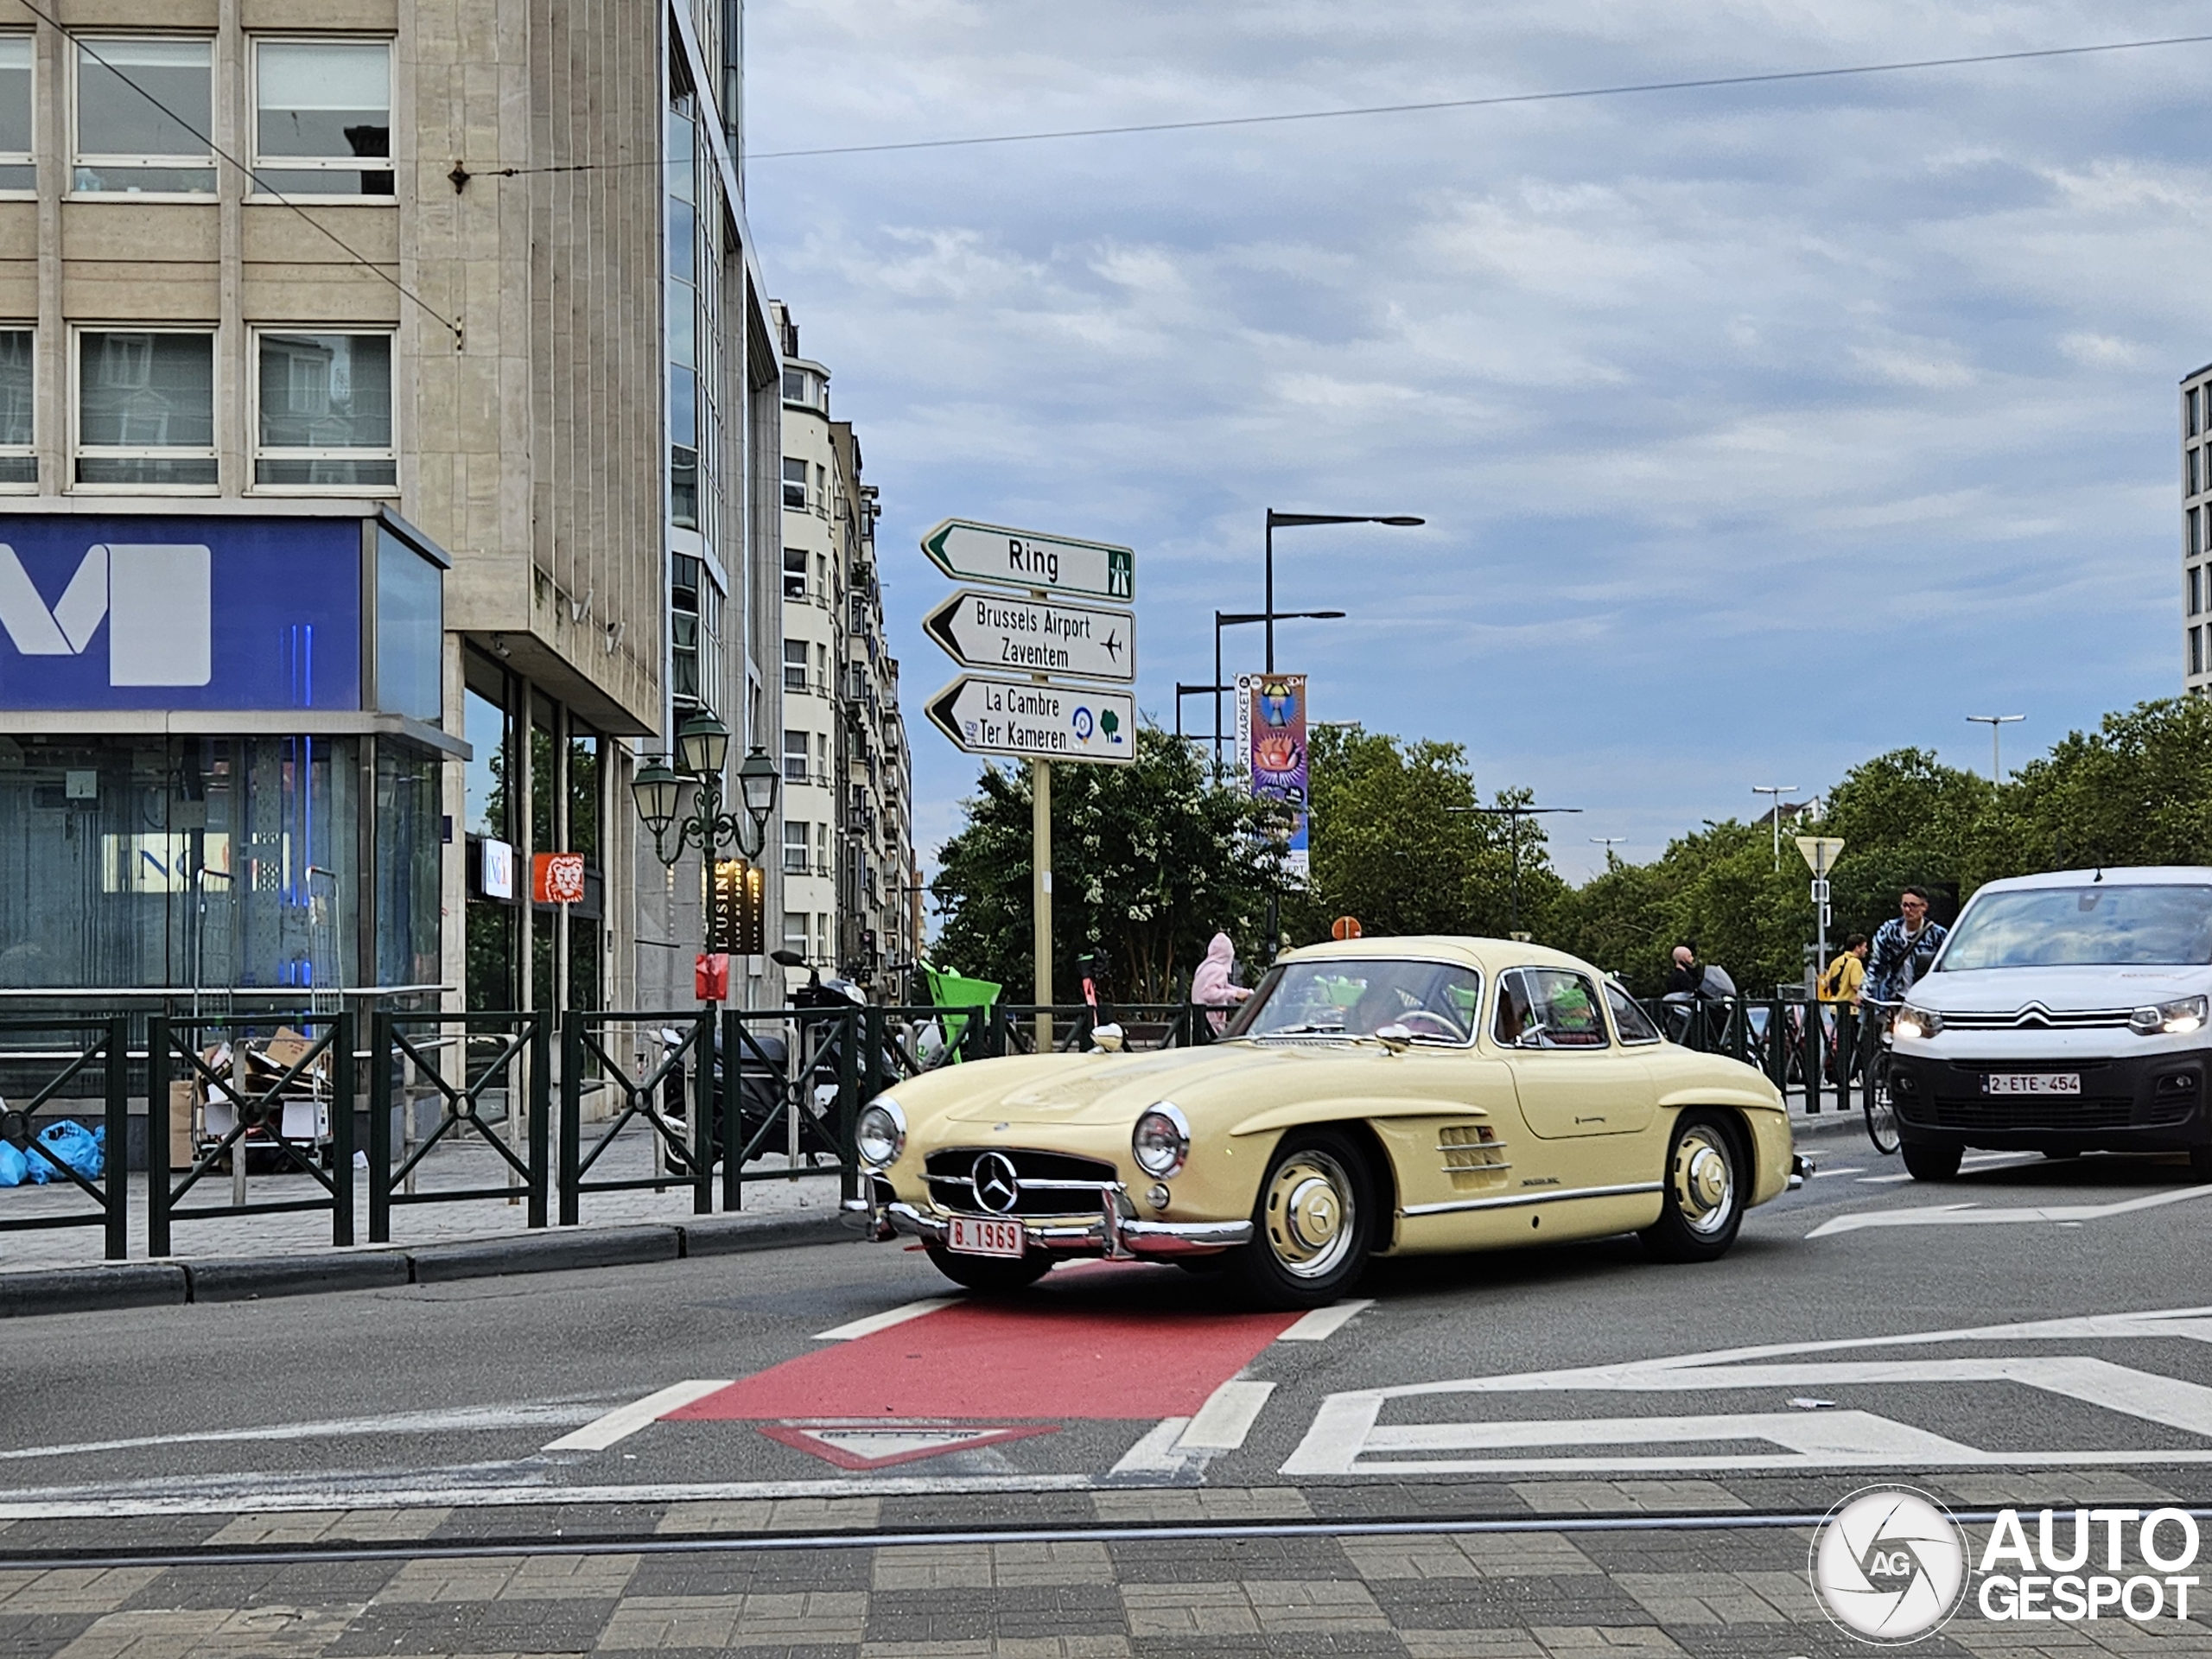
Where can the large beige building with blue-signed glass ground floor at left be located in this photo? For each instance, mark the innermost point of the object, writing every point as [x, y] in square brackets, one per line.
[366, 446]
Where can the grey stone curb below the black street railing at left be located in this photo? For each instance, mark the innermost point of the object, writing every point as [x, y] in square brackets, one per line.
[229, 1280]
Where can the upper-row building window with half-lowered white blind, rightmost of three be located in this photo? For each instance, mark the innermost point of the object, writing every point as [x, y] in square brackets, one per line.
[322, 112]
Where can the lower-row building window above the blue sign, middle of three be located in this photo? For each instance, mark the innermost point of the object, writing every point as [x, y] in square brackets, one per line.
[147, 410]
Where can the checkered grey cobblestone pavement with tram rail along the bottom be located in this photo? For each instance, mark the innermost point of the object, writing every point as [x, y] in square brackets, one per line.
[1609, 1594]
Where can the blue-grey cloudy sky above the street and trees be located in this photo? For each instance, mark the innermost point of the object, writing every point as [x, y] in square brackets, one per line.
[1757, 430]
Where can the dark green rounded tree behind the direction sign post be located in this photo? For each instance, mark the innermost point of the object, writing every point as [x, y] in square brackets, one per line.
[1149, 864]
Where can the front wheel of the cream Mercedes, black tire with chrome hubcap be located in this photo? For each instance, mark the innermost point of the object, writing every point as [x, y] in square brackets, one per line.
[1313, 1224]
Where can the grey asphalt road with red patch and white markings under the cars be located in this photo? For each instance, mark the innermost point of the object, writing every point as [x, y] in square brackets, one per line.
[459, 1395]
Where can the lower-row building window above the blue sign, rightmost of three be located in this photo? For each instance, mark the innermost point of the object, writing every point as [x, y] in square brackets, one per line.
[326, 413]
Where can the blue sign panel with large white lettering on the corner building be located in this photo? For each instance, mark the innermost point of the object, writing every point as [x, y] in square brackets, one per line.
[140, 612]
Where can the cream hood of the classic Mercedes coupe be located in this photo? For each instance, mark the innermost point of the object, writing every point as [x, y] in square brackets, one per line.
[1109, 1089]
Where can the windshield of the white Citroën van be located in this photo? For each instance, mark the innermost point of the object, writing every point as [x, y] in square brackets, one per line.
[2100, 926]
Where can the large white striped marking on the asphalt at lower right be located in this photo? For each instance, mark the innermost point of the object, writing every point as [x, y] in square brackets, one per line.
[1348, 1437]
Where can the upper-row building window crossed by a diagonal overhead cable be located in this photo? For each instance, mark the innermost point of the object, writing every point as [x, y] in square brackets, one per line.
[145, 109]
